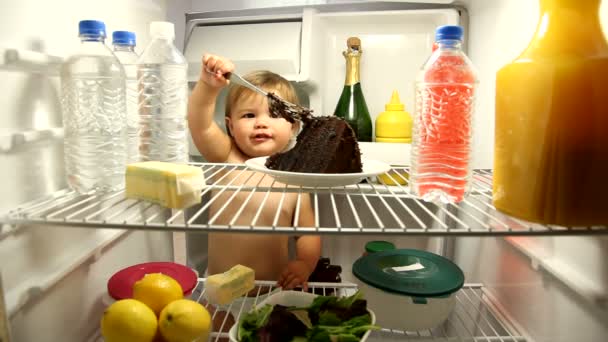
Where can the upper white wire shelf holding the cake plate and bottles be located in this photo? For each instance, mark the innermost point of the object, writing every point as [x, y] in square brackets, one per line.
[365, 208]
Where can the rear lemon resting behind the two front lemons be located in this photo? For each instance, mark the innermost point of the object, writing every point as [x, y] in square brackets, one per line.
[156, 290]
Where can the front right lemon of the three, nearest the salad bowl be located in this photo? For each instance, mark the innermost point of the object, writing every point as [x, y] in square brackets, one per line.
[184, 320]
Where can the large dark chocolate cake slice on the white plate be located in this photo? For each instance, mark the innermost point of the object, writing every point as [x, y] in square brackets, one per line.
[326, 144]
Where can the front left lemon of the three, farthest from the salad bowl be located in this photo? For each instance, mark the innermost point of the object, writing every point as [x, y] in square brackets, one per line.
[128, 320]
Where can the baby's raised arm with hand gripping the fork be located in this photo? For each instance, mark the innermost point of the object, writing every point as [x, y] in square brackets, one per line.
[211, 141]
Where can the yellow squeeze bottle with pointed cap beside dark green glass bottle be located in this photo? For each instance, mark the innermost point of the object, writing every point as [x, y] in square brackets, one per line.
[394, 125]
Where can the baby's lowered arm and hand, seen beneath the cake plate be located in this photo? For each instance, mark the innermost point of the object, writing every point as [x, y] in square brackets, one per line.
[308, 251]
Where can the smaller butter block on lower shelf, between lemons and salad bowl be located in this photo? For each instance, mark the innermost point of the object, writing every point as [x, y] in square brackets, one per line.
[223, 288]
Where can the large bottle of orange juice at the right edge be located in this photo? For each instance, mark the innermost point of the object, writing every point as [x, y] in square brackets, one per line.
[551, 147]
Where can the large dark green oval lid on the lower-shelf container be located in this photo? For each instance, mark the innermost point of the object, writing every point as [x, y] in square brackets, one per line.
[410, 272]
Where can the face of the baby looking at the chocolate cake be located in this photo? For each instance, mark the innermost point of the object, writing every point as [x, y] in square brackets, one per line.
[256, 132]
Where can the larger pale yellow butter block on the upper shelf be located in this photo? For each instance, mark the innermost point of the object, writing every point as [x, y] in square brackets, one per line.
[168, 184]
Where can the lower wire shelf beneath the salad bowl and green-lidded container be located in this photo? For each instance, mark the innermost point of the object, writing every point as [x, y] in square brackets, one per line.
[476, 316]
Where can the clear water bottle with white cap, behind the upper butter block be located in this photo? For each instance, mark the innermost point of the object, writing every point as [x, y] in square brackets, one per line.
[163, 86]
